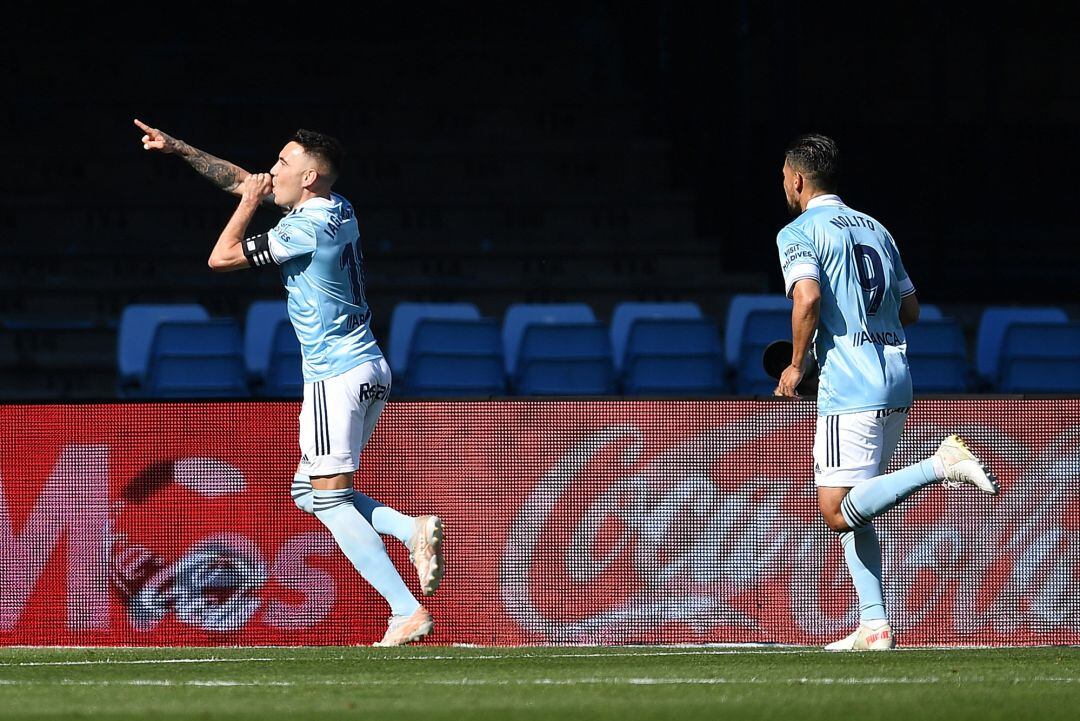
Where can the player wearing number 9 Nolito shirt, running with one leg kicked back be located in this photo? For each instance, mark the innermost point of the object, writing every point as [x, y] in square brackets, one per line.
[853, 300]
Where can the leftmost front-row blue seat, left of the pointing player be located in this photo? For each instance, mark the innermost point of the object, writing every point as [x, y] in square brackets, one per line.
[197, 360]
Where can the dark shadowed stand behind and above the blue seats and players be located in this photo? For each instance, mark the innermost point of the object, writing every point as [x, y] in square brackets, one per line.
[597, 152]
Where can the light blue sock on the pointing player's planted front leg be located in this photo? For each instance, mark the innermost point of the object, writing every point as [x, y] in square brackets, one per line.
[363, 548]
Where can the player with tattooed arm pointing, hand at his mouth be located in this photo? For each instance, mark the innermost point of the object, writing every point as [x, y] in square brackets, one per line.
[346, 379]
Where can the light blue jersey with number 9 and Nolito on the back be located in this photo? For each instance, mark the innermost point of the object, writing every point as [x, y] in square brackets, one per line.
[860, 344]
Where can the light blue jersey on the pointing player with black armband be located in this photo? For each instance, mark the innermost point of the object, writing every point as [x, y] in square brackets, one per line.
[318, 248]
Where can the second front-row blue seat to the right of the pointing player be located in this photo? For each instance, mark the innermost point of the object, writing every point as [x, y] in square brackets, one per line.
[565, 359]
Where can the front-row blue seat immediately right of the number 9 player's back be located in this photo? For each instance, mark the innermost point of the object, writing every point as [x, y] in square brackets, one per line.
[937, 357]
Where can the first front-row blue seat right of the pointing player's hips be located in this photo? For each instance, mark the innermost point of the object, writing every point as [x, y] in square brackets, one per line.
[455, 358]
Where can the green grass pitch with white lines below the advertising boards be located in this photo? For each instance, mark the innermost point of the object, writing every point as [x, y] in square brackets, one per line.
[563, 684]
